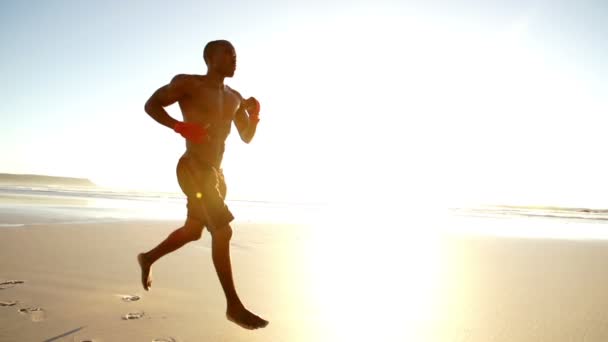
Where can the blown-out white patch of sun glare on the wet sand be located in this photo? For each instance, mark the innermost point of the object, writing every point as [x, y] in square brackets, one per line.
[378, 276]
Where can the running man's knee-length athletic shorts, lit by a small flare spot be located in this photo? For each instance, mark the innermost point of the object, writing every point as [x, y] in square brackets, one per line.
[205, 188]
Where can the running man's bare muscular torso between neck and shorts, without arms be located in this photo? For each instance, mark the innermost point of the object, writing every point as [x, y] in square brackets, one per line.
[211, 107]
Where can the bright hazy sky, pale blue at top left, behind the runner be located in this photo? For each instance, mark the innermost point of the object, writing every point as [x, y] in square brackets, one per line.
[379, 101]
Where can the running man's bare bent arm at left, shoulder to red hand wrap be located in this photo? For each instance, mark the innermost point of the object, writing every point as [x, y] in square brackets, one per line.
[166, 96]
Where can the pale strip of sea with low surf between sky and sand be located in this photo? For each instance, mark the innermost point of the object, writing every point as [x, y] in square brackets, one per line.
[21, 205]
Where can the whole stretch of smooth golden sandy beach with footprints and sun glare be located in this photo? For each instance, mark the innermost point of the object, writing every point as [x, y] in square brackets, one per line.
[84, 279]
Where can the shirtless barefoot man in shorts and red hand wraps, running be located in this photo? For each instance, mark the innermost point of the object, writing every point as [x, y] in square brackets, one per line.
[209, 107]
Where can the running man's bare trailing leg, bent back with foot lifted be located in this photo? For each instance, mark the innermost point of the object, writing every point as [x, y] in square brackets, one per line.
[191, 231]
